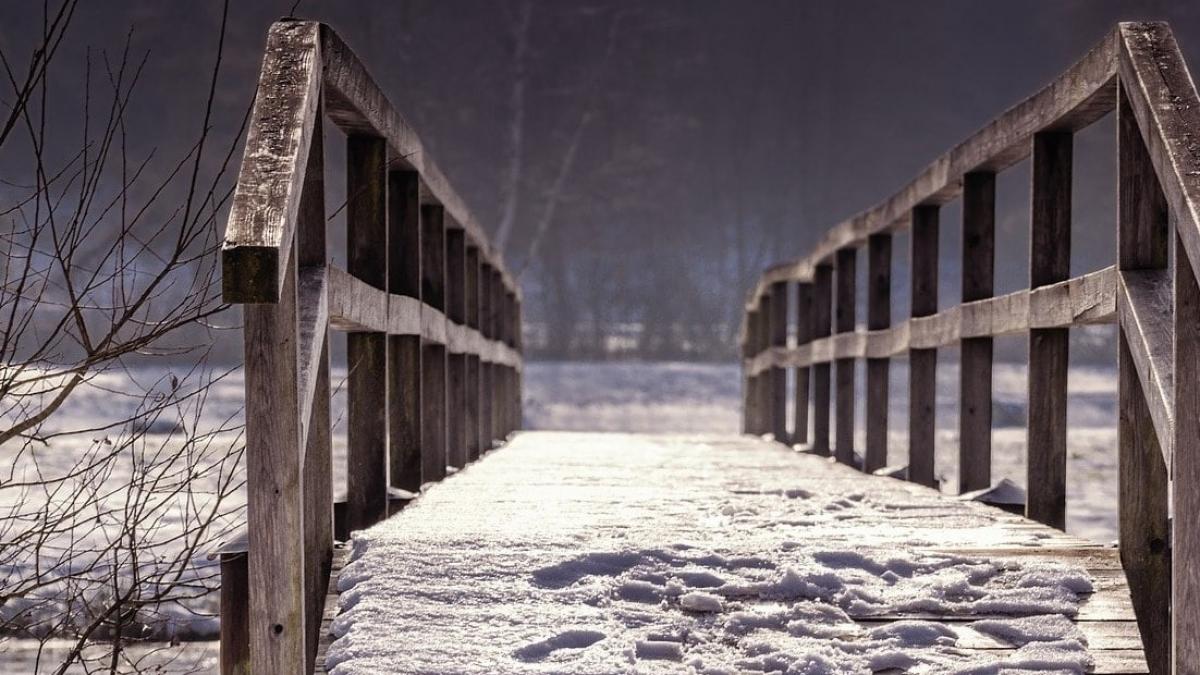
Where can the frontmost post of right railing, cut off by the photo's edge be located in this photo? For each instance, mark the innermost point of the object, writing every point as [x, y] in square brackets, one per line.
[1186, 470]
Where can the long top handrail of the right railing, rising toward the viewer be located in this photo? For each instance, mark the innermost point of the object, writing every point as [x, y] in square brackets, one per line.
[1079, 97]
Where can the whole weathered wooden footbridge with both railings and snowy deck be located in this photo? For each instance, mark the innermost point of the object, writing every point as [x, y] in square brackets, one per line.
[435, 362]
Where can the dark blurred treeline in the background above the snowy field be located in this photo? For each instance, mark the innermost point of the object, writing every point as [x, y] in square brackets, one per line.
[643, 162]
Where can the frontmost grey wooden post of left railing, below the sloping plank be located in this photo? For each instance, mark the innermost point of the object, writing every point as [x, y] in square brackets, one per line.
[274, 483]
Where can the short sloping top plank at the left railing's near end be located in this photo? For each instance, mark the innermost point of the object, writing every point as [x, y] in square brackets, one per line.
[267, 199]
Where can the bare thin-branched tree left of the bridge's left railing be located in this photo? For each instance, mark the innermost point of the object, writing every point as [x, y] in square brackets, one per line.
[122, 458]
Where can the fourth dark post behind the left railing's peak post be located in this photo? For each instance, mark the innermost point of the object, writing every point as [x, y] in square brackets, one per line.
[457, 363]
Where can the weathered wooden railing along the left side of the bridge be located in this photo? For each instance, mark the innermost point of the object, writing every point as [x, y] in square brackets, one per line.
[434, 325]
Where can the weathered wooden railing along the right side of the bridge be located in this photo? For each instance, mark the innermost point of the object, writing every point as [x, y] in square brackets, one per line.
[1153, 295]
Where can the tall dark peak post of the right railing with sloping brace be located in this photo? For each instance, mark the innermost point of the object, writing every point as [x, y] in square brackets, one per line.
[1145, 366]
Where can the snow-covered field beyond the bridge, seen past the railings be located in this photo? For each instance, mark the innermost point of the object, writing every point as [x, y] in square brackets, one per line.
[640, 397]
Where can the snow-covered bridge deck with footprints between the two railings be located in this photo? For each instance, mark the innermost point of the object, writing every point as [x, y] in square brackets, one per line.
[605, 553]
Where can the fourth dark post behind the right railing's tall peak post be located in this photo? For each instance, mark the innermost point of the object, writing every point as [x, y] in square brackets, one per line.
[879, 318]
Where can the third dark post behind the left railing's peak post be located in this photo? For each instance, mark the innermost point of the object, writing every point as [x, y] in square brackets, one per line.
[434, 355]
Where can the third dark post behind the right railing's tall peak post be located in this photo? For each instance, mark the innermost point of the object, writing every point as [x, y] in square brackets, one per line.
[923, 363]
